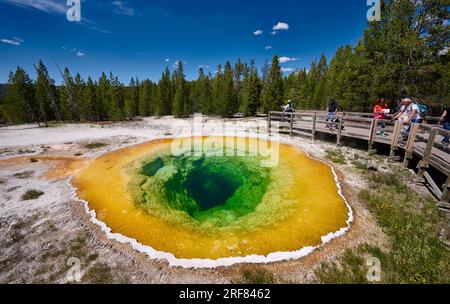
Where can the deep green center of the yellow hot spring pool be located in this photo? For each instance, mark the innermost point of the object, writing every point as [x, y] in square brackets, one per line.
[217, 190]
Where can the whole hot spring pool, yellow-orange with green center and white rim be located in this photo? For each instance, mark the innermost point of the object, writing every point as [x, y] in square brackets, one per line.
[196, 210]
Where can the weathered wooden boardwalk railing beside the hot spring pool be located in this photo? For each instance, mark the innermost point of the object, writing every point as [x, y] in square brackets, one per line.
[423, 140]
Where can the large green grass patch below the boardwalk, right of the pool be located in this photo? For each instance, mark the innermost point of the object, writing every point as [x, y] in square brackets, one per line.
[412, 223]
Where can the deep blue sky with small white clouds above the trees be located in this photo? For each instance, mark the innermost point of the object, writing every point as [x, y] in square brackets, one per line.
[140, 38]
